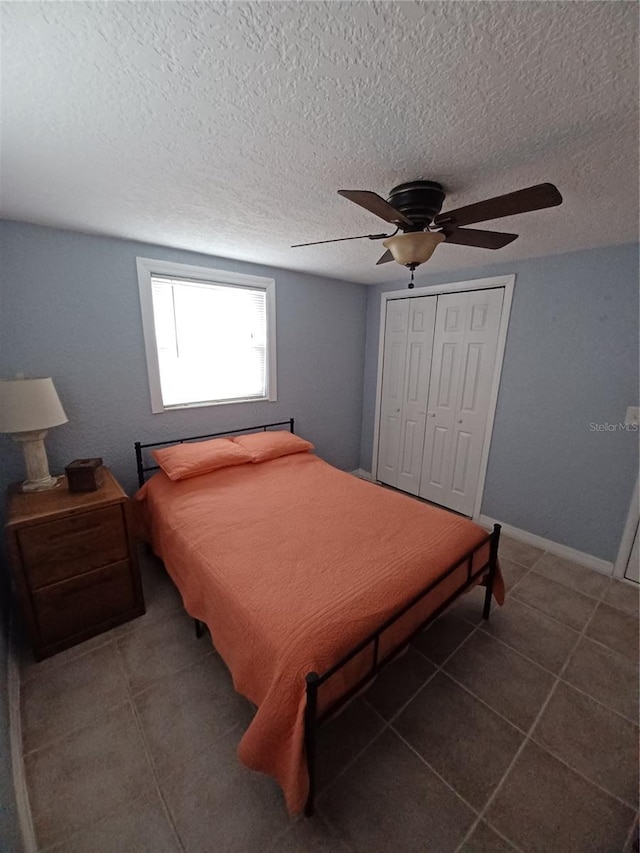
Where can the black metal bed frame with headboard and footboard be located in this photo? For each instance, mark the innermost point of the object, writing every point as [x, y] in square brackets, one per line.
[314, 680]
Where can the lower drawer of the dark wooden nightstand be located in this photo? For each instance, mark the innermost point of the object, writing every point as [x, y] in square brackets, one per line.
[83, 603]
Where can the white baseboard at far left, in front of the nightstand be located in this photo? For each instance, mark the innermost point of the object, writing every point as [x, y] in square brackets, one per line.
[25, 819]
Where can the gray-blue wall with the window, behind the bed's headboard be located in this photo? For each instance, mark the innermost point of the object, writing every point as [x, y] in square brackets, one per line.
[70, 309]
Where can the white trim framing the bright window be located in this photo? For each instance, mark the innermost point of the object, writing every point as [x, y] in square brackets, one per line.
[147, 267]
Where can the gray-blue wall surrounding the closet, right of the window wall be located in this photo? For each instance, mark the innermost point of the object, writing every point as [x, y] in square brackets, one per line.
[571, 360]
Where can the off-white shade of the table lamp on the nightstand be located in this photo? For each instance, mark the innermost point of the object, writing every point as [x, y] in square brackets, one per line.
[27, 405]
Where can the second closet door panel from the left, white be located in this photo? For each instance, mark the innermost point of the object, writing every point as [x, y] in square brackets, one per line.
[421, 322]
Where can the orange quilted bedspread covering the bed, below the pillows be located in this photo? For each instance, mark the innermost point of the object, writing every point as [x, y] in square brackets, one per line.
[290, 563]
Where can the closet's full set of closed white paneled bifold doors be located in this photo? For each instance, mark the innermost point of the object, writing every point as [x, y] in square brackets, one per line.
[438, 367]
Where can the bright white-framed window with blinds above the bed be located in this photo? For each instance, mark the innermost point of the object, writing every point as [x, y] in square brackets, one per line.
[209, 335]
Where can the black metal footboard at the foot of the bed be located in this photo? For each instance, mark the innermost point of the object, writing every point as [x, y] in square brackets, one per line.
[313, 720]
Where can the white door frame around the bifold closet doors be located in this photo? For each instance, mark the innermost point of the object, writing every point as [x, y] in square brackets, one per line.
[504, 281]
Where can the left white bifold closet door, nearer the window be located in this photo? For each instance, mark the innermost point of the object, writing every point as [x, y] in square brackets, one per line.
[408, 343]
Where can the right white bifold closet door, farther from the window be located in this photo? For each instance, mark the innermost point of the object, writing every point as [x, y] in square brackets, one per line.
[462, 369]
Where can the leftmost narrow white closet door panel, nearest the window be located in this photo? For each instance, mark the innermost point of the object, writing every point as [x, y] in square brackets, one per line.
[393, 373]
